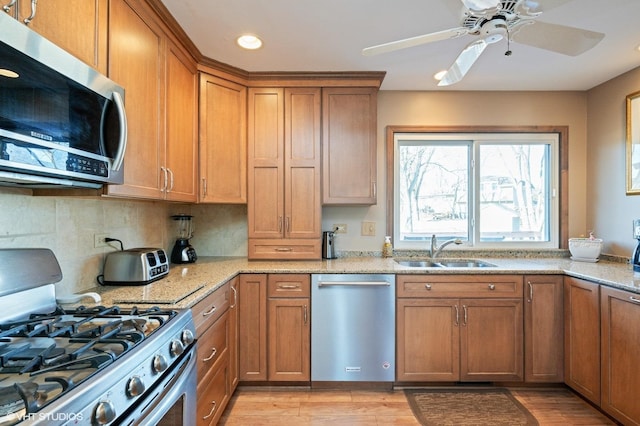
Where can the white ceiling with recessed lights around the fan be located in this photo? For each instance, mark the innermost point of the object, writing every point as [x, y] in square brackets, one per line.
[328, 35]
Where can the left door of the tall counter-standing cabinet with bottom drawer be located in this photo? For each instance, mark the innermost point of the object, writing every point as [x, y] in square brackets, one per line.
[266, 163]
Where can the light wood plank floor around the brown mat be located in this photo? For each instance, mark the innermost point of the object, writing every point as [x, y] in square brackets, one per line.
[272, 406]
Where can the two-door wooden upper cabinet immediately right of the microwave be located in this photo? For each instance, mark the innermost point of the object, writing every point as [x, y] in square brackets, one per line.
[161, 102]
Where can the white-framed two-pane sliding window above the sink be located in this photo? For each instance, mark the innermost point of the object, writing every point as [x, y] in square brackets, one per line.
[491, 190]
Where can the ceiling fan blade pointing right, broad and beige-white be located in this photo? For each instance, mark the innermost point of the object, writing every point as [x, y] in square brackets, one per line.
[557, 38]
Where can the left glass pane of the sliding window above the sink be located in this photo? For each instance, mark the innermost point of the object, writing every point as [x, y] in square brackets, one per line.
[433, 183]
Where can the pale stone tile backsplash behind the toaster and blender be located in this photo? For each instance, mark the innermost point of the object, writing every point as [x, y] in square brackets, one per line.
[67, 226]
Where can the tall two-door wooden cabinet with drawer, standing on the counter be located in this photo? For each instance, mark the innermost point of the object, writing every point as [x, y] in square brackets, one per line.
[284, 205]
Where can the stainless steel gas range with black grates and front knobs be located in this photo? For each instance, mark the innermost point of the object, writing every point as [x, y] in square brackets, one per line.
[88, 365]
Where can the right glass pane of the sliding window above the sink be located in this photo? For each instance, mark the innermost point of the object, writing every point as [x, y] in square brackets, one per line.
[514, 192]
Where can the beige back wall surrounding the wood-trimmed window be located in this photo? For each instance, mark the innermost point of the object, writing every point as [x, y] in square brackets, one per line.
[470, 108]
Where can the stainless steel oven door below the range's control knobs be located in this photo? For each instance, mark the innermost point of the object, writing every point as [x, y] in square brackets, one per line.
[172, 401]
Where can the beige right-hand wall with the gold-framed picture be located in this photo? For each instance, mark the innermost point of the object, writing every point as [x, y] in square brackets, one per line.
[609, 210]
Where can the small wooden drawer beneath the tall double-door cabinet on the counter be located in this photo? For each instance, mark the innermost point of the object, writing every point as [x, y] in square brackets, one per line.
[285, 249]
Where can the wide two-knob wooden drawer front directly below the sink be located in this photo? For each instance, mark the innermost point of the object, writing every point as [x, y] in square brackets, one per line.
[494, 286]
